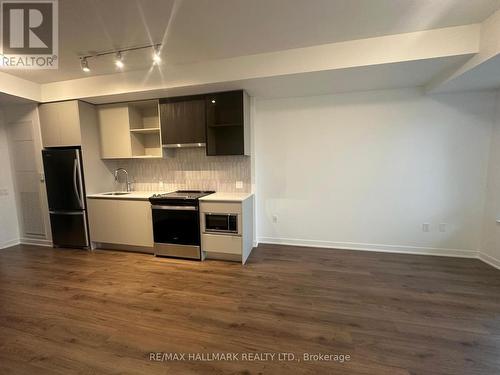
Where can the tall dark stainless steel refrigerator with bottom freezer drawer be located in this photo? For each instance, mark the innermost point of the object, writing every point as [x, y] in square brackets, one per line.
[66, 197]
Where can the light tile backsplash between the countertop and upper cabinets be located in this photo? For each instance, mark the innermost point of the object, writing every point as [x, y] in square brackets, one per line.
[187, 168]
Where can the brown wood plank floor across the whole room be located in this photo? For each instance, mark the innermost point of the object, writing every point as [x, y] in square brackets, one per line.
[69, 311]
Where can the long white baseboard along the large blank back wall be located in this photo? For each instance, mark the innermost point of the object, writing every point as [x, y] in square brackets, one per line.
[460, 253]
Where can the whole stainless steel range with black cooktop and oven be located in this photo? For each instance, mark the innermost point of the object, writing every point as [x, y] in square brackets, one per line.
[176, 223]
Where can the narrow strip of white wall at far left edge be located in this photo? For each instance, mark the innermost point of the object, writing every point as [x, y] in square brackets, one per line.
[9, 226]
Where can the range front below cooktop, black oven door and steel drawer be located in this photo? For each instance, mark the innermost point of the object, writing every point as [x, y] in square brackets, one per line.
[176, 231]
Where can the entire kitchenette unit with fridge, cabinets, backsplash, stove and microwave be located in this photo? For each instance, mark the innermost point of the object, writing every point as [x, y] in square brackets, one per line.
[185, 223]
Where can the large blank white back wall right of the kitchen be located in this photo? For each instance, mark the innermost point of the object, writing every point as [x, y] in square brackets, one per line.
[366, 170]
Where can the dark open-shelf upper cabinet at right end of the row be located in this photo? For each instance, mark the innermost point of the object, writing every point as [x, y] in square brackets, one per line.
[227, 123]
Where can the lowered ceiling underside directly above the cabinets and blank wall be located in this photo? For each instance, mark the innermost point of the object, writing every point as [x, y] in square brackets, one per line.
[374, 77]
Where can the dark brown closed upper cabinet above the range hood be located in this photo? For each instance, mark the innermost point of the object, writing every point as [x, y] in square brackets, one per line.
[183, 121]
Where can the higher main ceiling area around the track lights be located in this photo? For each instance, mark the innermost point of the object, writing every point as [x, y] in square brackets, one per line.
[201, 30]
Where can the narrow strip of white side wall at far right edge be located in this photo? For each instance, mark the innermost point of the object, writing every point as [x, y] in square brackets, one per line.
[491, 229]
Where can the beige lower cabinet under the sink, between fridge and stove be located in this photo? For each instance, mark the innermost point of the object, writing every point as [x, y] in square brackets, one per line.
[120, 221]
